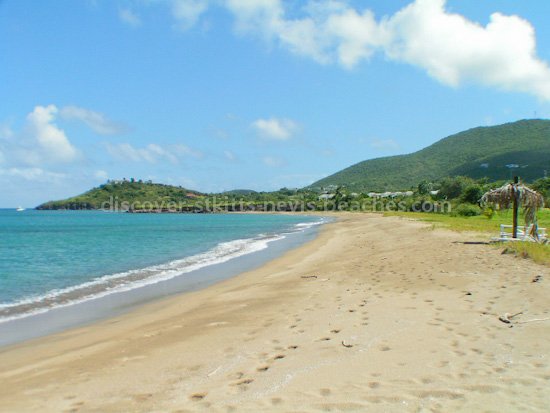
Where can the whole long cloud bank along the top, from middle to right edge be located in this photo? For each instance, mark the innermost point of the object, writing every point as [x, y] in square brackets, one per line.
[449, 47]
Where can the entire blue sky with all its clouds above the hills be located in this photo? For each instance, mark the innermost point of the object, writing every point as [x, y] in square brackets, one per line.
[216, 95]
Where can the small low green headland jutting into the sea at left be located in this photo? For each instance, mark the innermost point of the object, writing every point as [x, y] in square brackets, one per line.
[137, 193]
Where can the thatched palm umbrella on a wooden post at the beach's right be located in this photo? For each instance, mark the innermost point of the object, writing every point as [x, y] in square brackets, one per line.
[516, 194]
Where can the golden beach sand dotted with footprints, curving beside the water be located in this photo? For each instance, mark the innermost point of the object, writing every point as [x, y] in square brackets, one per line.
[376, 314]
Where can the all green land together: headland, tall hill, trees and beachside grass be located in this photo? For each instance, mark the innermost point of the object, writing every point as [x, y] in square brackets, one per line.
[446, 180]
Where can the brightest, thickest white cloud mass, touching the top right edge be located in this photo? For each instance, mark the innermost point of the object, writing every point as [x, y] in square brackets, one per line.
[453, 49]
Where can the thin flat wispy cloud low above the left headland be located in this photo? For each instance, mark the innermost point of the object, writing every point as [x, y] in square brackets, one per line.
[151, 153]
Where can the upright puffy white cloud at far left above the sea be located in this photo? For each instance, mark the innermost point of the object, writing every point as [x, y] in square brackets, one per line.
[52, 141]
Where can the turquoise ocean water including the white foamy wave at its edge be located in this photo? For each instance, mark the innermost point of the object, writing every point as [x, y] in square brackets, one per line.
[50, 259]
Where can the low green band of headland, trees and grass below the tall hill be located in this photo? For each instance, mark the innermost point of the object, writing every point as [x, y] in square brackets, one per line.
[450, 203]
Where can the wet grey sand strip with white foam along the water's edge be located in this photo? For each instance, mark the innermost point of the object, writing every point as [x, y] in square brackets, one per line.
[107, 304]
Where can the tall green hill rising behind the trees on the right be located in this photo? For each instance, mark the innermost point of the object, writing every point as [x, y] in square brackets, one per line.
[477, 153]
